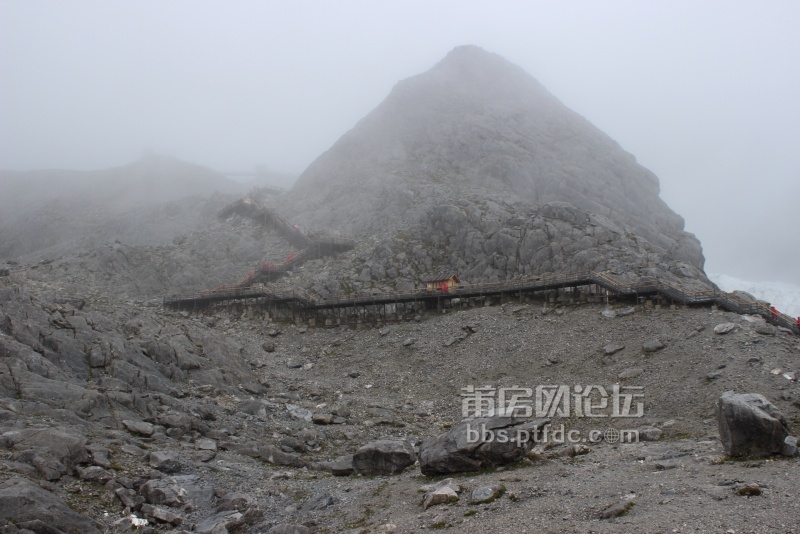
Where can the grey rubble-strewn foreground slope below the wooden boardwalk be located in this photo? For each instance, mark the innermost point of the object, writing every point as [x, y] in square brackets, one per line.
[106, 406]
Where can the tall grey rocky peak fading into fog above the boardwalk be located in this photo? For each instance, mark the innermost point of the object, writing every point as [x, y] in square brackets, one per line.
[476, 143]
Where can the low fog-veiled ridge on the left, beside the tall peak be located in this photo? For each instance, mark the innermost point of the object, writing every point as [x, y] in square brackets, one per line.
[49, 213]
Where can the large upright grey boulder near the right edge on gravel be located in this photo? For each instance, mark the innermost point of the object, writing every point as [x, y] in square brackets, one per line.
[750, 425]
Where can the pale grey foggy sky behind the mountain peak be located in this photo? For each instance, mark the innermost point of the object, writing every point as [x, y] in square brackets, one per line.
[702, 93]
